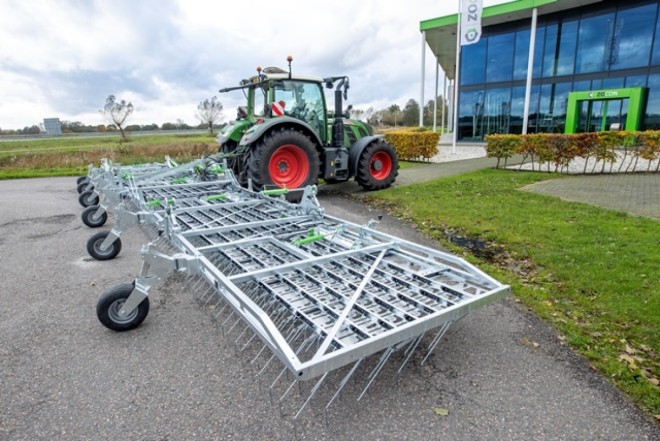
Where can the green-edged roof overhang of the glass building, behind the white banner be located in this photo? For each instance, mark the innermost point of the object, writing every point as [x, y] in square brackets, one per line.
[440, 33]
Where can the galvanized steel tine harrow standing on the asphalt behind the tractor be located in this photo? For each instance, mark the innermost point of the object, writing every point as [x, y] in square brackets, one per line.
[302, 294]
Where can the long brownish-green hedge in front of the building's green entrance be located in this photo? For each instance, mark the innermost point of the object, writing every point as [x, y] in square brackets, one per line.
[560, 149]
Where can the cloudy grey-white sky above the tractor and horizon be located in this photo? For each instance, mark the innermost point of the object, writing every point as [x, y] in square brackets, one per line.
[62, 58]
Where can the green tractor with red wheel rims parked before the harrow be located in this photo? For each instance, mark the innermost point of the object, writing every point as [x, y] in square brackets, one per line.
[285, 137]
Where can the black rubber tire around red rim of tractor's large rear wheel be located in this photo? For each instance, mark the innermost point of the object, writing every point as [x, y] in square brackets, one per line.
[258, 162]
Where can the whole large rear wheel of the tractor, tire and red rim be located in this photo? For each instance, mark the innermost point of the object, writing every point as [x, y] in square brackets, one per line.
[284, 158]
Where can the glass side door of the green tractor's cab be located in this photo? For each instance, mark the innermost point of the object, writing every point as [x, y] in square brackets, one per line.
[304, 101]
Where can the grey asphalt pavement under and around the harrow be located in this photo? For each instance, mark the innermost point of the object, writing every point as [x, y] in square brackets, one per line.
[500, 373]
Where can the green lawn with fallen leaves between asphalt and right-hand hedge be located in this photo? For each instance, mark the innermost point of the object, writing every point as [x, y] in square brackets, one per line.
[593, 274]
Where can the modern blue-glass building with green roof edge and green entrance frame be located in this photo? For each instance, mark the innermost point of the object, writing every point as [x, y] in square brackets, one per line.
[596, 66]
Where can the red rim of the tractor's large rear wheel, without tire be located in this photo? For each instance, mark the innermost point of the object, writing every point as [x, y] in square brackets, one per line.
[289, 166]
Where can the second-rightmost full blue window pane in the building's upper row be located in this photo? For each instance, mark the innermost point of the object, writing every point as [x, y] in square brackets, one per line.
[593, 37]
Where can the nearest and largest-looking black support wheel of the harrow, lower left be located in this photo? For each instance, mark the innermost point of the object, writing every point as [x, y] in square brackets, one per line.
[108, 306]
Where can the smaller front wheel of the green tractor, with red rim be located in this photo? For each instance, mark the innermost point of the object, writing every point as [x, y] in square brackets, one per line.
[377, 166]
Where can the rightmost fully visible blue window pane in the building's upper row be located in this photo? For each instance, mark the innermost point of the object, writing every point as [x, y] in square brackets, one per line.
[630, 43]
